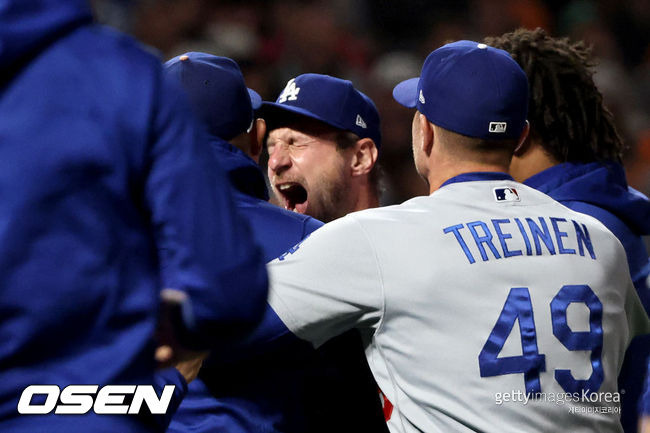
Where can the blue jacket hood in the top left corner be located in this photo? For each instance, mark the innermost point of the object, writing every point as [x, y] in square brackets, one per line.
[27, 26]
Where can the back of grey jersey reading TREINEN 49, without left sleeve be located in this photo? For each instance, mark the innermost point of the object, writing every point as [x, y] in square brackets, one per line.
[493, 291]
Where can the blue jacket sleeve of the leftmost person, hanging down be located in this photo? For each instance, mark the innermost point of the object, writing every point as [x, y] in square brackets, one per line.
[205, 251]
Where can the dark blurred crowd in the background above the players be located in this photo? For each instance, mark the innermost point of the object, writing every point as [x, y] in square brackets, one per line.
[377, 43]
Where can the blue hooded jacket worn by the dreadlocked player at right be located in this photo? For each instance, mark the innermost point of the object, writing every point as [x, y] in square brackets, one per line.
[601, 190]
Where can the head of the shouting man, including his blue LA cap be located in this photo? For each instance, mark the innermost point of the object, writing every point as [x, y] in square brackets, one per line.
[323, 146]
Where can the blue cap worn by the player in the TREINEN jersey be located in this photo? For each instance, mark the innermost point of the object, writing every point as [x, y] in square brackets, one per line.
[470, 88]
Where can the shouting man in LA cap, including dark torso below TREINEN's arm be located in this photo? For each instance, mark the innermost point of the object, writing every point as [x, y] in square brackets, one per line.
[324, 140]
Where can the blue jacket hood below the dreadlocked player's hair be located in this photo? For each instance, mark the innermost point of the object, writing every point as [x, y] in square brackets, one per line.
[600, 184]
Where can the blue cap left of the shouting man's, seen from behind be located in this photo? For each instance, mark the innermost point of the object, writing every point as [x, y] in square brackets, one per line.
[216, 88]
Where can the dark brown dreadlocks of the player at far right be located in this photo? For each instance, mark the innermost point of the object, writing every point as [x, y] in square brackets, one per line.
[566, 110]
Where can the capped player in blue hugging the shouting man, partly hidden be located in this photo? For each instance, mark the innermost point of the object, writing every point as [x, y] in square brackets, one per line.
[263, 393]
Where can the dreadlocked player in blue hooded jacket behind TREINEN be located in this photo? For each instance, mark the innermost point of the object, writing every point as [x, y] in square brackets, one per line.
[575, 157]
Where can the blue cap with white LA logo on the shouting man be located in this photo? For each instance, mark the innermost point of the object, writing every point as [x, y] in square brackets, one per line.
[330, 100]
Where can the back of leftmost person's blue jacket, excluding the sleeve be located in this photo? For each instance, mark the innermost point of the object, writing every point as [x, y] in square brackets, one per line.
[80, 281]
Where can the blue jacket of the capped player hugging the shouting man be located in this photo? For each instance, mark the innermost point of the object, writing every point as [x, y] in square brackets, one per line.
[262, 393]
